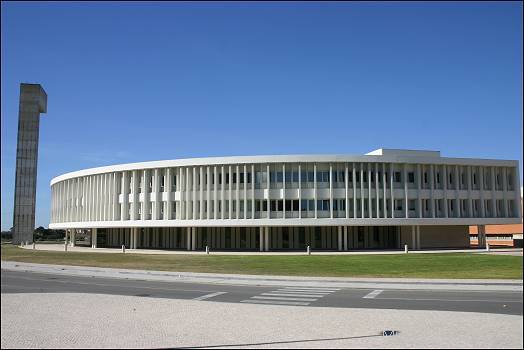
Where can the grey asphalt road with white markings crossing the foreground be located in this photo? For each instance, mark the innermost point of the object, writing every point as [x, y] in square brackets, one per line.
[497, 302]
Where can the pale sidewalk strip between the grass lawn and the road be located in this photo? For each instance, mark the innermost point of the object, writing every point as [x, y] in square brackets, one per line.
[264, 280]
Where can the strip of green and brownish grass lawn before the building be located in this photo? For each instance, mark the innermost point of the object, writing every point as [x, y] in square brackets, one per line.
[451, 265]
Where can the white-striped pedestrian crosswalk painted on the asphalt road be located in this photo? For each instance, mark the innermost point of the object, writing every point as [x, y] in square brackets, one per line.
[291, 296]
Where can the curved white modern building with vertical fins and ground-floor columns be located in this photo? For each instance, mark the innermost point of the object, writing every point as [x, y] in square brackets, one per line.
[382, 200]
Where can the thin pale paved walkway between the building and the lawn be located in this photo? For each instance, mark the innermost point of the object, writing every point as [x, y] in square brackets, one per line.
[60, 247]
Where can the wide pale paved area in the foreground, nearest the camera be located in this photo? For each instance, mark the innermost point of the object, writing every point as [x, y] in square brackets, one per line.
[78, 320]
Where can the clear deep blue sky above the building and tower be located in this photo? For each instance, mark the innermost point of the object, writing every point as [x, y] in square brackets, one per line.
[129, 82]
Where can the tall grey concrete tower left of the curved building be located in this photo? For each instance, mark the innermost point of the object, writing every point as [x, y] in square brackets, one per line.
[33, 101]
